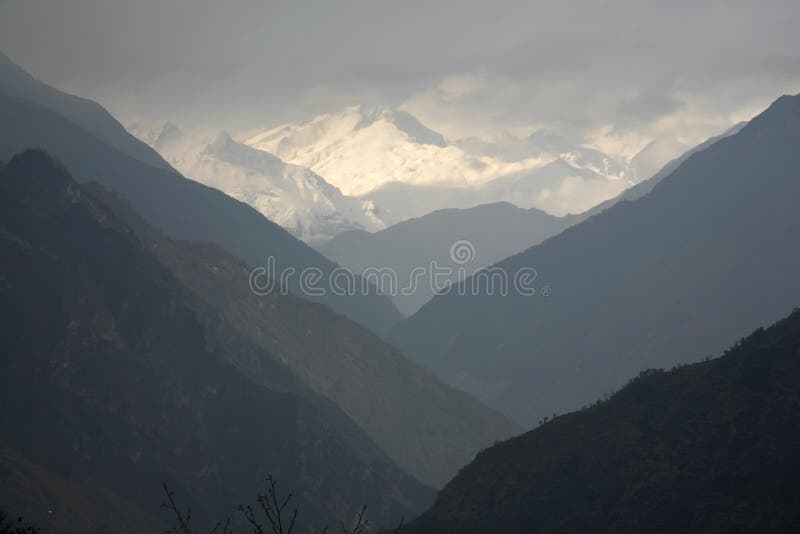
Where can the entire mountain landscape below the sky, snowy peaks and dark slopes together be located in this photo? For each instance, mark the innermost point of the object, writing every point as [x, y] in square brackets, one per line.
[195, 316]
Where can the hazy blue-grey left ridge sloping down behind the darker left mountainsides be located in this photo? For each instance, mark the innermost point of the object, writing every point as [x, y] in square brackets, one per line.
[43, 118]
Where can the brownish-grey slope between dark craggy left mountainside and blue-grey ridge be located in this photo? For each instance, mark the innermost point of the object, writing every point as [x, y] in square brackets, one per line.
[425, 426]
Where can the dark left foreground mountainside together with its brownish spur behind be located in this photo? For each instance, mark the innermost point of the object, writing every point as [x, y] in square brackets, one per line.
[146, 357]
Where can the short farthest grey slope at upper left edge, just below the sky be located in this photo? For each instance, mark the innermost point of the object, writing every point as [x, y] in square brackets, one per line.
[88, 115]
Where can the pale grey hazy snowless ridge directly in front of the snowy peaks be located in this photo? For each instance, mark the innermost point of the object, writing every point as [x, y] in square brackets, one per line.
[494, 232]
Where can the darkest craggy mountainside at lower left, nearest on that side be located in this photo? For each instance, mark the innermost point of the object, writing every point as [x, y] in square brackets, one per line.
[116, 377]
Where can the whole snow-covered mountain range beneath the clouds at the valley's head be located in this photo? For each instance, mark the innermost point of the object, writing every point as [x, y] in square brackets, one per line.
[367, 168]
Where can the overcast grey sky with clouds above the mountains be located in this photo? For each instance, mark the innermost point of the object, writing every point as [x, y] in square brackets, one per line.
[617, 72]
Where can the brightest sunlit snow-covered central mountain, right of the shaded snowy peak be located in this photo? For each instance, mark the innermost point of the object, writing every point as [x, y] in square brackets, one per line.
[388, 157]
